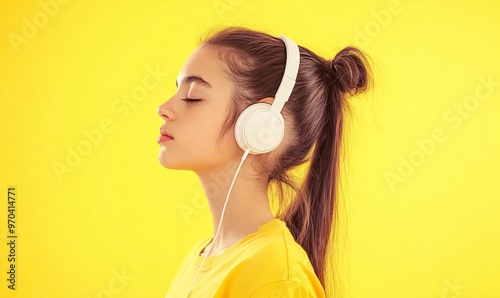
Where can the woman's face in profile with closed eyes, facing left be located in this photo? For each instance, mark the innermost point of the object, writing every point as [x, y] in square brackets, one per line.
[195, 126]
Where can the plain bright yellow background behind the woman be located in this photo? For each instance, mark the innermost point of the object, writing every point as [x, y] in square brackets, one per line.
[421, 195]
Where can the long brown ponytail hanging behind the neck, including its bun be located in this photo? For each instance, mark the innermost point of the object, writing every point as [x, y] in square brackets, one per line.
[311, 214]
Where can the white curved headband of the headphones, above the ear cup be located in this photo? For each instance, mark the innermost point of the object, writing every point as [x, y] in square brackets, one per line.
[290, 75]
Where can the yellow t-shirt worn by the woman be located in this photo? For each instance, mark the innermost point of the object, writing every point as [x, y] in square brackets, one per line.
[267, 263]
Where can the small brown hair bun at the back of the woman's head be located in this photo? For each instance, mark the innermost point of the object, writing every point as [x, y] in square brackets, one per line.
[350, 67]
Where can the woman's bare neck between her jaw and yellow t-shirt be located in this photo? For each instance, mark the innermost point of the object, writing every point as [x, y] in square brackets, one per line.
[247, 208]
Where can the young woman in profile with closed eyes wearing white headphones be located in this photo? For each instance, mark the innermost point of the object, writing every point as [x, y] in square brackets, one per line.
[255, 252]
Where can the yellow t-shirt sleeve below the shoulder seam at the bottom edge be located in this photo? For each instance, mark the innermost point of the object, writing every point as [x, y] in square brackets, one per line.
[282, 289]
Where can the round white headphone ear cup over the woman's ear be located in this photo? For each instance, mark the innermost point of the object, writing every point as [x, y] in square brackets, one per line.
[259, 129]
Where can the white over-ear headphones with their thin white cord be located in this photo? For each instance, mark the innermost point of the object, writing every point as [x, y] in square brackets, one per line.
[260, 127]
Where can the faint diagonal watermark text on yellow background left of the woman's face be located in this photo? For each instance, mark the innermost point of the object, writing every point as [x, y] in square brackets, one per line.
[121, 107]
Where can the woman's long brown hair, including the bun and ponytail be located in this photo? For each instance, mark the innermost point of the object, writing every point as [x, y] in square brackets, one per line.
[255, 61]
